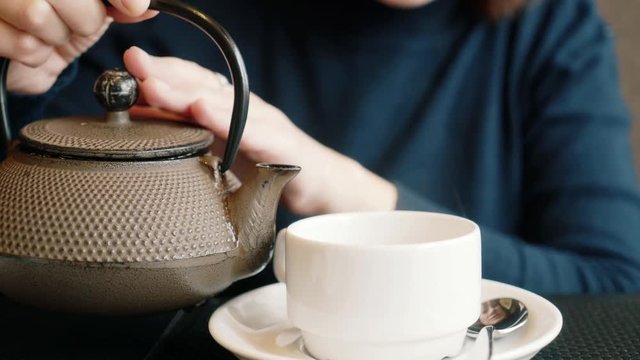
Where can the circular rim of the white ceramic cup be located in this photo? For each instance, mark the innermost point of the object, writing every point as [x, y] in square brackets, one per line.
[467, 236]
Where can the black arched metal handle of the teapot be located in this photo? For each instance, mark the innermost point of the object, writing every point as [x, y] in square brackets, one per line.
[226, 45]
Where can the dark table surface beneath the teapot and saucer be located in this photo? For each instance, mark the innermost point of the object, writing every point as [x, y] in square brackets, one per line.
[595, 327]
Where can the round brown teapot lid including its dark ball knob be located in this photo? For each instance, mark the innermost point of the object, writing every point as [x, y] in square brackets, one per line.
[116, 136]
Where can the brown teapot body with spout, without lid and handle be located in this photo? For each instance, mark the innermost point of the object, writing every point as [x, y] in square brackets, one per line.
[122, 237]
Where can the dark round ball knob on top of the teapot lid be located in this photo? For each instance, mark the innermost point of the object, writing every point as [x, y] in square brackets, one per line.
[116, 90]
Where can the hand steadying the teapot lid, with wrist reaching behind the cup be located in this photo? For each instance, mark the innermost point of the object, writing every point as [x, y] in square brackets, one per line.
[328, 182]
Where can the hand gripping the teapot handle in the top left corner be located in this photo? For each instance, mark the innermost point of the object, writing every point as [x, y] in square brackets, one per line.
[42, 37]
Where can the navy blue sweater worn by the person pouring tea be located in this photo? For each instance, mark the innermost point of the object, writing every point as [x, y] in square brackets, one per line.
[518, 125]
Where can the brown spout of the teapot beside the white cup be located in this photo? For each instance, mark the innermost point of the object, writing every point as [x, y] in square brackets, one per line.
[253, 208]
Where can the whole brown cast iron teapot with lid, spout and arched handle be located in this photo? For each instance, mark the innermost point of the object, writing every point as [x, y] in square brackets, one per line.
[117, 215]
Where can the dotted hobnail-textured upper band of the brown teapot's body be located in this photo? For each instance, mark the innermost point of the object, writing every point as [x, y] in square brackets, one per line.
[112, 211]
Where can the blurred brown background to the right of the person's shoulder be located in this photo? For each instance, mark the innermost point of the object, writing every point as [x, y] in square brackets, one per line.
[623, 17]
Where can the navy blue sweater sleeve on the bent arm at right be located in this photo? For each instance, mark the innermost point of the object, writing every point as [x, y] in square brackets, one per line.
[581, 205]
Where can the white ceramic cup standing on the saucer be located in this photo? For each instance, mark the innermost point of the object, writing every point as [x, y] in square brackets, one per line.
[381, 285]
